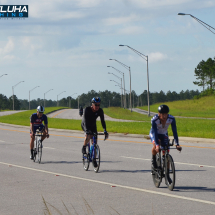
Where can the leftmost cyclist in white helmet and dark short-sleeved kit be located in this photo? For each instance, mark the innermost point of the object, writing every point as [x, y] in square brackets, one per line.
[36, 123]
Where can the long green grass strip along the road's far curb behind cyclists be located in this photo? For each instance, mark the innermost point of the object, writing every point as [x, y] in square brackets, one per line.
[186, 127]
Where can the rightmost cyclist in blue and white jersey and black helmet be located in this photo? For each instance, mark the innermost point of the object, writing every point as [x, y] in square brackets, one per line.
[159, 134]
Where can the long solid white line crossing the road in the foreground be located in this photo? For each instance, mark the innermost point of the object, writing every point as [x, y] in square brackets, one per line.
[117, 185]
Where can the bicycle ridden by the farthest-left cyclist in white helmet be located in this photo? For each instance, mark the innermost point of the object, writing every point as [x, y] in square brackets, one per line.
[38, 145]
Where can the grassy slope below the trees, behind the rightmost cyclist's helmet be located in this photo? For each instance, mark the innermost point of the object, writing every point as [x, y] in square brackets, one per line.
[203, 107]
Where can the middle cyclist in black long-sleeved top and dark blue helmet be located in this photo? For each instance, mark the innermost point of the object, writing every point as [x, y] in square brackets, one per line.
[88, 123]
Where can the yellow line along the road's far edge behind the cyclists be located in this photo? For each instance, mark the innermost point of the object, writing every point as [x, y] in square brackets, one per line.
[125, 141]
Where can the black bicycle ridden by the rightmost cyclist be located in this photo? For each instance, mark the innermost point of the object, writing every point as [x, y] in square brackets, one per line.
[165, 168]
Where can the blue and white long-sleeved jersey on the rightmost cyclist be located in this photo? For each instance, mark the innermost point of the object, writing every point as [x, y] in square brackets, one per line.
[158, 131]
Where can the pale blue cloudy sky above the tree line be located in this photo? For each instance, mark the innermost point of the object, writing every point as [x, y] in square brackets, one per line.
[66, 46]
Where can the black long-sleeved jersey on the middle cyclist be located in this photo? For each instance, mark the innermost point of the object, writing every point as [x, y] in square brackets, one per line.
[89, 119]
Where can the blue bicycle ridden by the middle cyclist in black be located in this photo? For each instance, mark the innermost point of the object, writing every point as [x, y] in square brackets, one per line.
[92, 153]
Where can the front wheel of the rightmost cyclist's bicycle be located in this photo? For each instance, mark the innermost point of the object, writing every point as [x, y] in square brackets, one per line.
[169, 172]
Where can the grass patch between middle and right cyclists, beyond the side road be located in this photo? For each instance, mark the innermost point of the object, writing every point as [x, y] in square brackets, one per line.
[121, 113]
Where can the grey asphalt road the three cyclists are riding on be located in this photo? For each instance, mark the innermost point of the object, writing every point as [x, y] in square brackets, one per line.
[122, 186]
